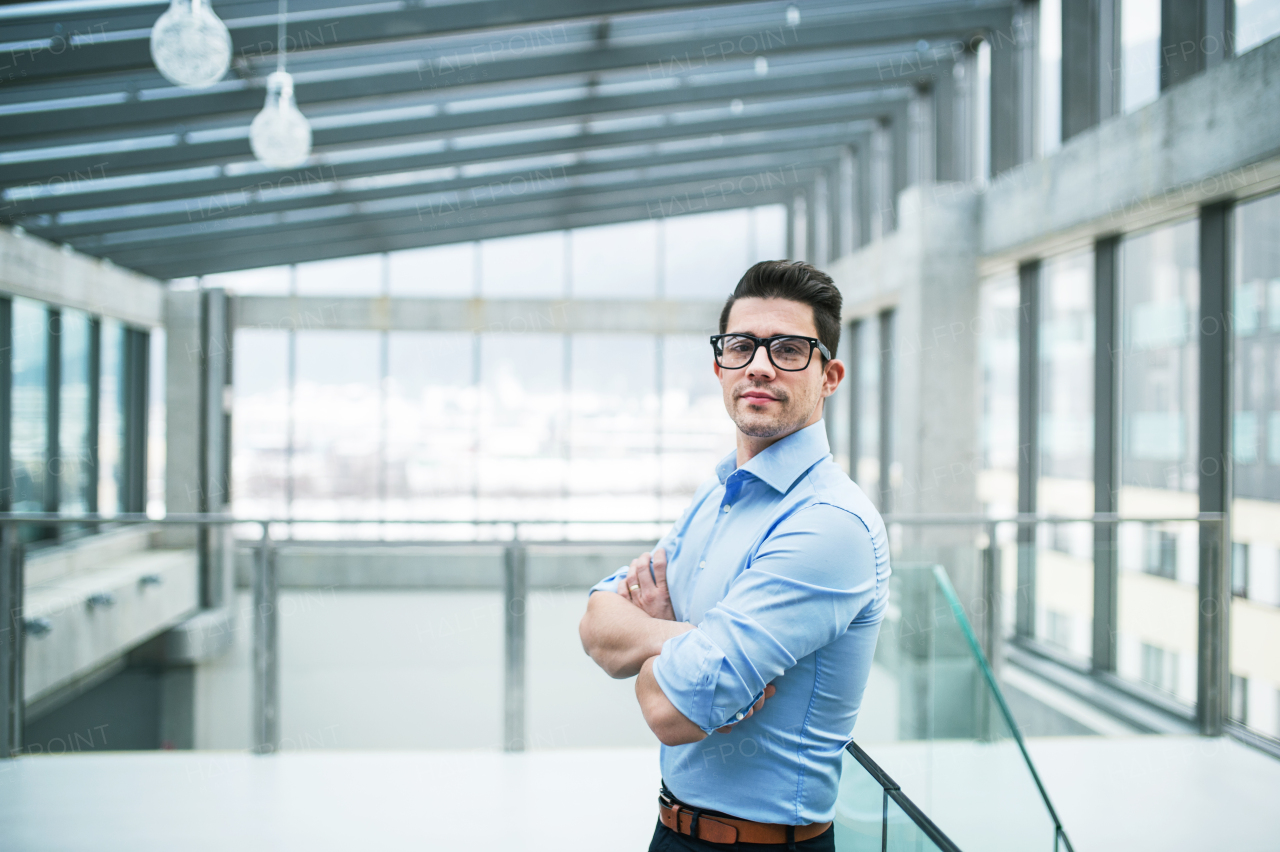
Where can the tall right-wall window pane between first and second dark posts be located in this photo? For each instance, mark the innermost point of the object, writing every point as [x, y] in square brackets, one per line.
[1064, 562]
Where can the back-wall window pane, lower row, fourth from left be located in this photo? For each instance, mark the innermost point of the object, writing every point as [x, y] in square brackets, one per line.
[523, 418]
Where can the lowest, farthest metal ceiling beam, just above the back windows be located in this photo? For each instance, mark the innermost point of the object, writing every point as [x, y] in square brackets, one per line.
[175, 259]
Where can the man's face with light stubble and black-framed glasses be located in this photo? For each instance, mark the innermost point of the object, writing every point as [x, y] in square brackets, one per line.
[767, 402]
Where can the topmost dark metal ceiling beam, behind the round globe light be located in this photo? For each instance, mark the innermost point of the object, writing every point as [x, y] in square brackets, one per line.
[118, 40]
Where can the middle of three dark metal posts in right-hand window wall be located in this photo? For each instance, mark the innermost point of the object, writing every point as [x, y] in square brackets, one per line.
[1107, 452]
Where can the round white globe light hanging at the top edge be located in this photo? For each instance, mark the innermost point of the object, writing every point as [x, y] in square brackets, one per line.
[190, 45]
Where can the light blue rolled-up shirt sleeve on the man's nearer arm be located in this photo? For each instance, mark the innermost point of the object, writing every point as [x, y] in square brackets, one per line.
[810, 580]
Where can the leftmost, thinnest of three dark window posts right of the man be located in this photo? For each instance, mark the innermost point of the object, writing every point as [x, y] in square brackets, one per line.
[1028, 441]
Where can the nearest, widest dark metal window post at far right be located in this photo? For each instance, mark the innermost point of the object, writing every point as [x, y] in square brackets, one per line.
[1213, 689]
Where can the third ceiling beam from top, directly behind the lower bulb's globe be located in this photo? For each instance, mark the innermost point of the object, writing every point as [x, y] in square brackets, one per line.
[191, 154]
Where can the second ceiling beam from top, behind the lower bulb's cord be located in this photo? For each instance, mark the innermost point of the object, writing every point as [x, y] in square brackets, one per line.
[669, 58]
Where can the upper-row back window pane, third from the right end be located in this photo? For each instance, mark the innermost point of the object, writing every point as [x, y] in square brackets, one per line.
[596, 271]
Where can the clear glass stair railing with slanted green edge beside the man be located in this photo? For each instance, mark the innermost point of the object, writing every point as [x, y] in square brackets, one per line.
[934, 718]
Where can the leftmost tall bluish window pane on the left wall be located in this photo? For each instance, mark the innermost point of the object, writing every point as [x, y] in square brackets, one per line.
[30, 438]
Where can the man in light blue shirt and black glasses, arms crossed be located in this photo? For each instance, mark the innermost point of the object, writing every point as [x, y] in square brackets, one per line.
[752, 625]
